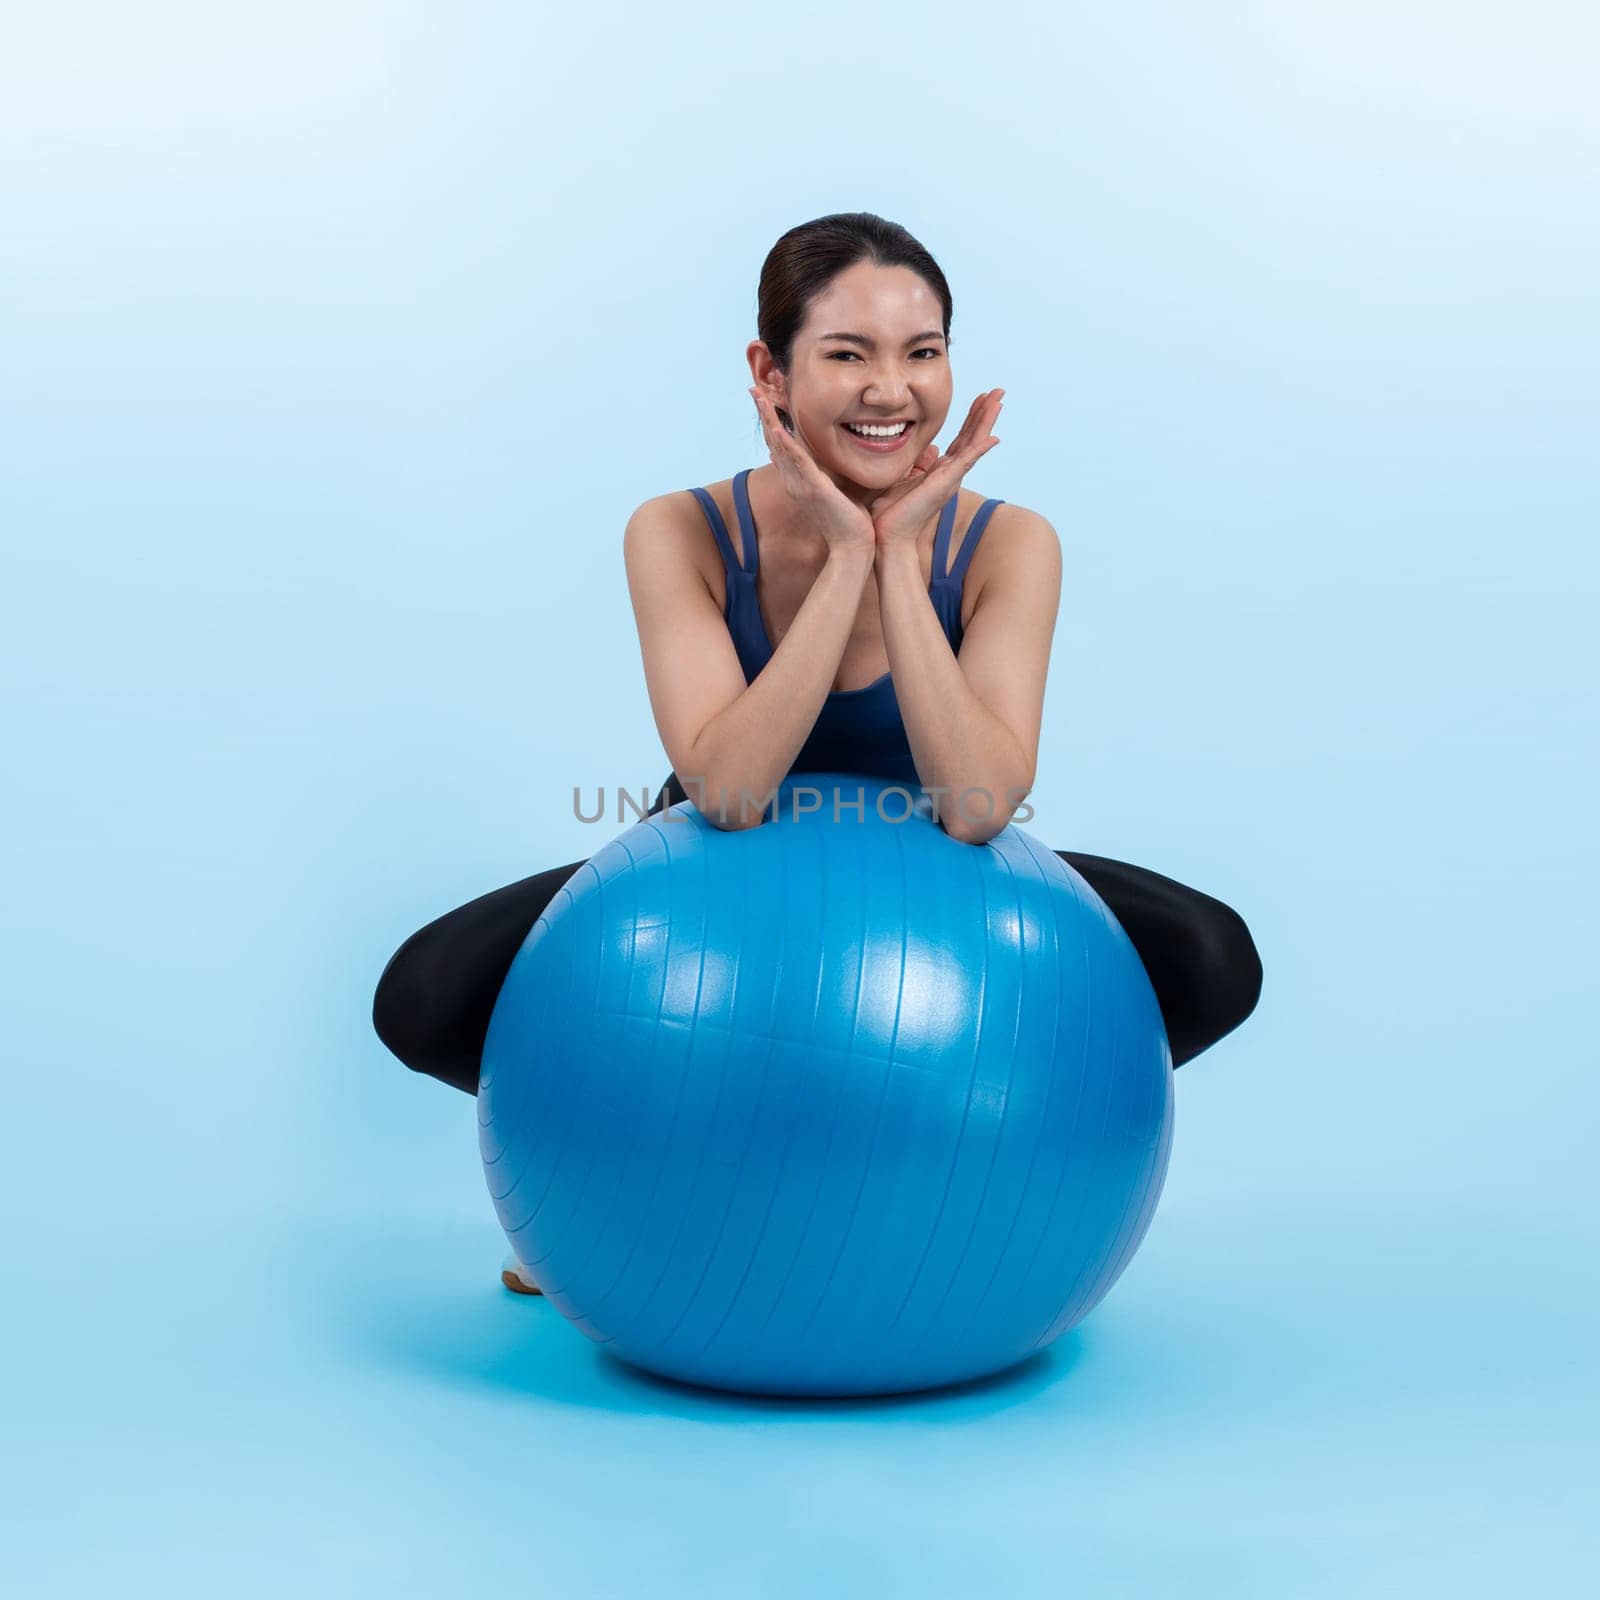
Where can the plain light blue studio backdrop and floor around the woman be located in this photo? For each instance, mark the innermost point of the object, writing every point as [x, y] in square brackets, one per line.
[337, 345]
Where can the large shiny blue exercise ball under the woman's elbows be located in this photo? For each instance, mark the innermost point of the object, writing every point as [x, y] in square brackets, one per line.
[828, 1106]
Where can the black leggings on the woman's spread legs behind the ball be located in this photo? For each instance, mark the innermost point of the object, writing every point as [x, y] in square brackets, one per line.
[438, 993]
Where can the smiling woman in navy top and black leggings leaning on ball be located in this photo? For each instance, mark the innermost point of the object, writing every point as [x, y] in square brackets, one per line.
[849, 607]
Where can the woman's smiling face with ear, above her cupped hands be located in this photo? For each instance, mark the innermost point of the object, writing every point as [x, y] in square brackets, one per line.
[871, 350]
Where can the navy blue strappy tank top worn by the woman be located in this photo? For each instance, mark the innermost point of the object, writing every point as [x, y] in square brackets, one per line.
[857, 730]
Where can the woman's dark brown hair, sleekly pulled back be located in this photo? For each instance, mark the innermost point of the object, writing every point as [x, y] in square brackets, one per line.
[812, 255]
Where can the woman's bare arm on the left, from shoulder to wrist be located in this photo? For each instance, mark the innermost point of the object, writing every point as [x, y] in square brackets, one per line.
[721, 735]
